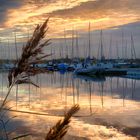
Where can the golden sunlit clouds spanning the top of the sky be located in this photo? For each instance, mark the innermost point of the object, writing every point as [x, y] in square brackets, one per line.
[69, 13]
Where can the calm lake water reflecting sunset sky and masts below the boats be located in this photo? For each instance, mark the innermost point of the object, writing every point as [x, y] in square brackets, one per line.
[110, 106]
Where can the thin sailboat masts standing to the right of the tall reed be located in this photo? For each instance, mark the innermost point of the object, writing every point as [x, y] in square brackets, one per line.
[72, 51]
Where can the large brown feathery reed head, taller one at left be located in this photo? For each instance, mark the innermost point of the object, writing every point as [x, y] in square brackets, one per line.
[32, 53]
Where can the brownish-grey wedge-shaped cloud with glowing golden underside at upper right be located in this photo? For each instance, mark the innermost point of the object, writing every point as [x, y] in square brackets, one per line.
[106, 13]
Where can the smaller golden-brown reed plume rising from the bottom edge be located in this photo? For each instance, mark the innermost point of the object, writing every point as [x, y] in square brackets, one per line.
[58, 131]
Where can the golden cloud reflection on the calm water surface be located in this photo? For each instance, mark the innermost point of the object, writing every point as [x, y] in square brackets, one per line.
[55, 104]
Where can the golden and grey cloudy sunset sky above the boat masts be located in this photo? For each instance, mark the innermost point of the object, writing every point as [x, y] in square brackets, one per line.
[114, 17]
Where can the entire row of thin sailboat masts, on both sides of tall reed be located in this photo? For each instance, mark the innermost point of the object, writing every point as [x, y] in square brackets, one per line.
[73, 50]
